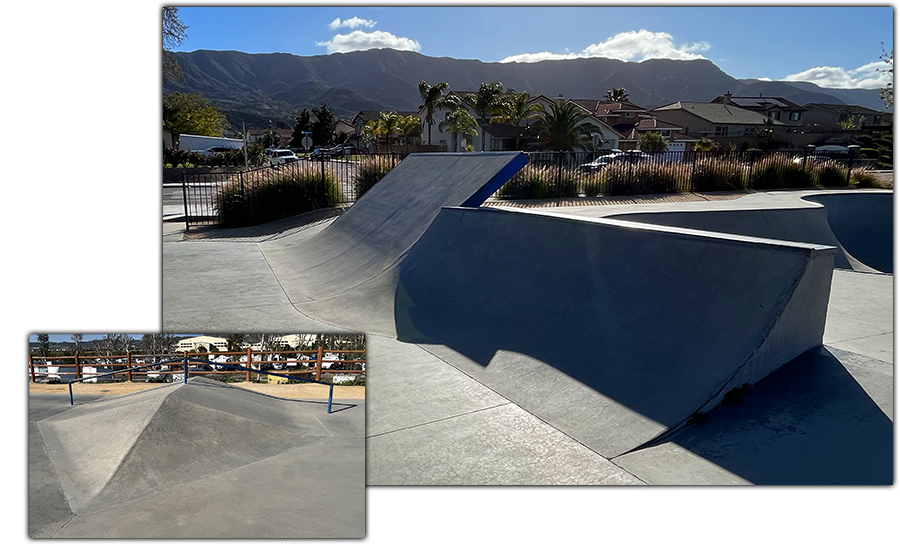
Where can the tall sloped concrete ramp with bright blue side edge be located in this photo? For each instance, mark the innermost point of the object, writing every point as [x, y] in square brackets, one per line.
[370, 236]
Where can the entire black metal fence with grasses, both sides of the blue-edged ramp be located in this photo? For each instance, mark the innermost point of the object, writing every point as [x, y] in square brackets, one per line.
[273, 192]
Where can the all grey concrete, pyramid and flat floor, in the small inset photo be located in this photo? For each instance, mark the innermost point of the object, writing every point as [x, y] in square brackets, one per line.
[198, 460]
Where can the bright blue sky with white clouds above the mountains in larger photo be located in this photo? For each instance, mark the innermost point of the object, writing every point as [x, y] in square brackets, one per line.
[830, 46]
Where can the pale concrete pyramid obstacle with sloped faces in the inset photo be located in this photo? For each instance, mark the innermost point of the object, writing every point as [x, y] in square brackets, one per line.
[114, 452]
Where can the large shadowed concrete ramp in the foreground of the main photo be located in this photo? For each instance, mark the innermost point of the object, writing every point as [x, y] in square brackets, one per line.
[657, 322]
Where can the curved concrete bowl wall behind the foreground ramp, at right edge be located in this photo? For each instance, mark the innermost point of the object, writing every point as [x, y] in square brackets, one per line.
[859, 224]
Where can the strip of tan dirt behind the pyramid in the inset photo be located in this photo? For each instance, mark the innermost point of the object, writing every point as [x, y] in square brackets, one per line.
[282, 391]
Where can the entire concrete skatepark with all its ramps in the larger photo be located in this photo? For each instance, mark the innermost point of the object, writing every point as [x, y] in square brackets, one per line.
[584, 345]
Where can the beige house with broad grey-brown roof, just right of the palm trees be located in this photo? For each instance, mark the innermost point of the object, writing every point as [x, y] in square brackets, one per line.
[726, 124]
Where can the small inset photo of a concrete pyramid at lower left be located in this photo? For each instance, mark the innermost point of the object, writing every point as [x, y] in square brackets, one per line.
[196, 436]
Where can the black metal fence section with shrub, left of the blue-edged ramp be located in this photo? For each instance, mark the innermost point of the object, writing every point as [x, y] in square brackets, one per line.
[271, 192]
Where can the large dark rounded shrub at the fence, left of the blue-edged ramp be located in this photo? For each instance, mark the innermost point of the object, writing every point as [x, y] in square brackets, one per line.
[282, 192]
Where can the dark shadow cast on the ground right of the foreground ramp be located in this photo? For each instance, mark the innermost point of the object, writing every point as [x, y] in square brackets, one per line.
[809, 423]
